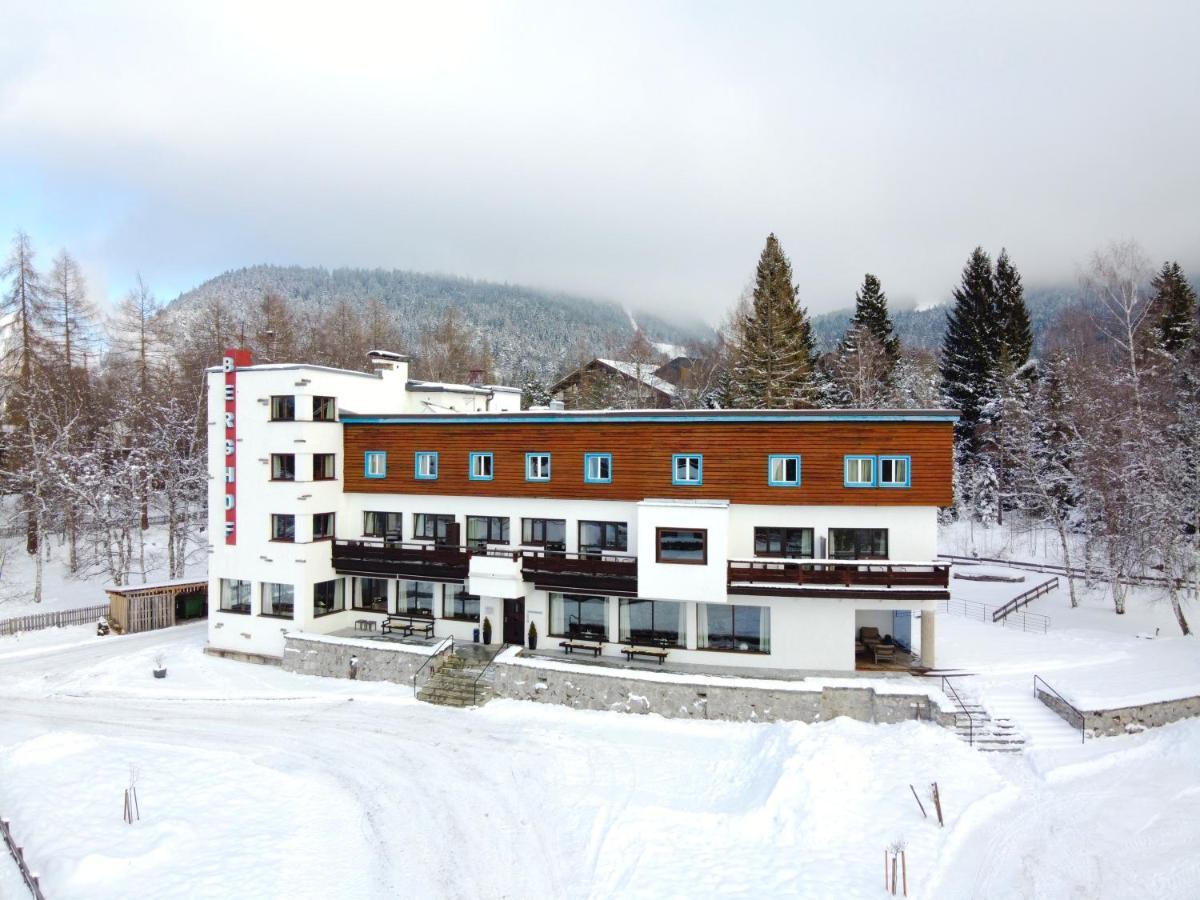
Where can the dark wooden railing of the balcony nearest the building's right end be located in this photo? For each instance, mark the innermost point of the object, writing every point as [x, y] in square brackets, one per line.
[839, 573]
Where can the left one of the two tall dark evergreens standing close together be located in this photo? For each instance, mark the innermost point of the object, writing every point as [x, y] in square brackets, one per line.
[971, 350]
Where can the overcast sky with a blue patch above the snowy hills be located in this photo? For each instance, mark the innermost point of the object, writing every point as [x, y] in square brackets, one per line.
[638, 152]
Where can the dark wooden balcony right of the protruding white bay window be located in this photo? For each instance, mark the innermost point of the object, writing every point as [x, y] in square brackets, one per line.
[831, 578]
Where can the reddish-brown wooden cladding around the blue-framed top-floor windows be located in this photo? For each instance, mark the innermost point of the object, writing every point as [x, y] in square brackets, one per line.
[735, 460]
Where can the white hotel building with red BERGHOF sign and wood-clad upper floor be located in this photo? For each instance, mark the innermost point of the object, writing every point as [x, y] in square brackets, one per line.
[736, 539]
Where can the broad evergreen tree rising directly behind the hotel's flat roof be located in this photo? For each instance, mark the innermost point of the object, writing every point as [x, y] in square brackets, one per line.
[775, 356]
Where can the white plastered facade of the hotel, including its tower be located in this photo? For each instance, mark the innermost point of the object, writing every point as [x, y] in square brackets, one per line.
[813, 632]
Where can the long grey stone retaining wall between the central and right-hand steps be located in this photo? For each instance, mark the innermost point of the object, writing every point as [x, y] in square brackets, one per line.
[703, 700]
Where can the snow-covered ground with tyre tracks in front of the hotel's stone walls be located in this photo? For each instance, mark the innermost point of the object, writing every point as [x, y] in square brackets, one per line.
[255, 783]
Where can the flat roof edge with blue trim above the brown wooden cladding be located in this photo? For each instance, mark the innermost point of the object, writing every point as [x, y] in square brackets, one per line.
[583, 417]
